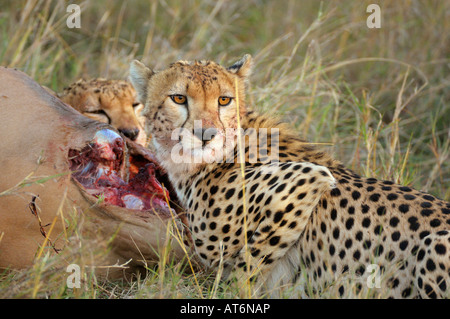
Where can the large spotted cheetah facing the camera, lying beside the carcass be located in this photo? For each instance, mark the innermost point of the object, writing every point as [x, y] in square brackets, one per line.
[287, 216]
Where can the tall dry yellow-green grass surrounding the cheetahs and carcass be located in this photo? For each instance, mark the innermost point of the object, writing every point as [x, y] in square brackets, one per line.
[378, 99]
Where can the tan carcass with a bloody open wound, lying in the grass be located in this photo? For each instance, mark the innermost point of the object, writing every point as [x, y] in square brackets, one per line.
[55, 162]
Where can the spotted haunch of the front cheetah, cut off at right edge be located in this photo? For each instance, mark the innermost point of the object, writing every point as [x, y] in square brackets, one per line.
[432, 273]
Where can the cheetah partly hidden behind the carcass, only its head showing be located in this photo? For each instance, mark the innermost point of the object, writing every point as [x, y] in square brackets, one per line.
[108, 101]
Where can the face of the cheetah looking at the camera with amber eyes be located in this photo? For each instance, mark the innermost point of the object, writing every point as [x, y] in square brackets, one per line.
[191, 110]
